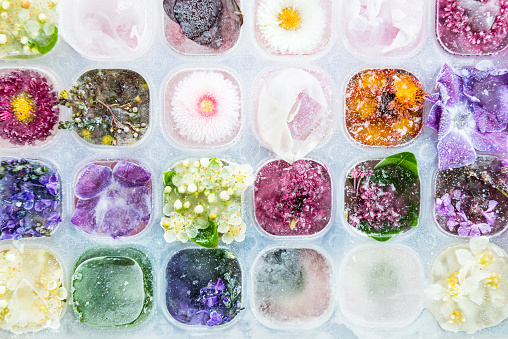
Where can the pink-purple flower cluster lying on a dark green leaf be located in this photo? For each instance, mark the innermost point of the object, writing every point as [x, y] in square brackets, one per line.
[378, 205]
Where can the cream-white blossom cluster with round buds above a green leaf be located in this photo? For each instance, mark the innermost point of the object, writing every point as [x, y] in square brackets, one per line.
[204, 192]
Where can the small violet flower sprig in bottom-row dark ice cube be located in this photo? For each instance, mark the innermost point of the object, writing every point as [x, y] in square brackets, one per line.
[218, 300]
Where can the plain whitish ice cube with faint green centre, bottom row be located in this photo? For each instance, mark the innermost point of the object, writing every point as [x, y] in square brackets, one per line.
[381, 286]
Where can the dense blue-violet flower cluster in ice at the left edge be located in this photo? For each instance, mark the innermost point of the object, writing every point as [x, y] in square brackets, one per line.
[30, 201]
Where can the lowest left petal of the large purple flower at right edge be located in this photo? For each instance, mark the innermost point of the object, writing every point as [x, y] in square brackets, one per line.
[455, 150]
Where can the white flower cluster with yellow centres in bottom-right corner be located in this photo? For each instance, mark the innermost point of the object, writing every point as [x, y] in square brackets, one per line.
[468, 290]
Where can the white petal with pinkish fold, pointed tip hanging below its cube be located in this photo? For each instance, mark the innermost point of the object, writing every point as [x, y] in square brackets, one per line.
[293, 113]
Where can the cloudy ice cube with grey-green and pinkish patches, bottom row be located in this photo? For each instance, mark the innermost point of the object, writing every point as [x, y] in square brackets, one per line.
[292, 288]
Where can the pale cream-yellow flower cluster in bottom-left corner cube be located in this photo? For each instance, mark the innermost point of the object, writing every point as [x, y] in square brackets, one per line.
[31, 292]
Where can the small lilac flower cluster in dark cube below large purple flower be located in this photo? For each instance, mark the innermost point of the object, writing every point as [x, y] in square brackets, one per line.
[468, 213]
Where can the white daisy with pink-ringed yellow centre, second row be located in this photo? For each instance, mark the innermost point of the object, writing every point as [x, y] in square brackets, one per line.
[206, 107]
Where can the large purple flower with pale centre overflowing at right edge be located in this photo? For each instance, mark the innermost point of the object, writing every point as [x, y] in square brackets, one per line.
[470, 113]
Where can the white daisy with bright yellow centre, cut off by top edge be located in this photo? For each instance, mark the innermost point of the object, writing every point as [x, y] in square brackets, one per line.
[292, 26]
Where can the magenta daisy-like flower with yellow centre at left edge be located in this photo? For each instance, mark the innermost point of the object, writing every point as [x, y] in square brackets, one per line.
[28, 107]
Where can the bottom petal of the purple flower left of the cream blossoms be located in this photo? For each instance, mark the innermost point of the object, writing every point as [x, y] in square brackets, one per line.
[120, 221]
